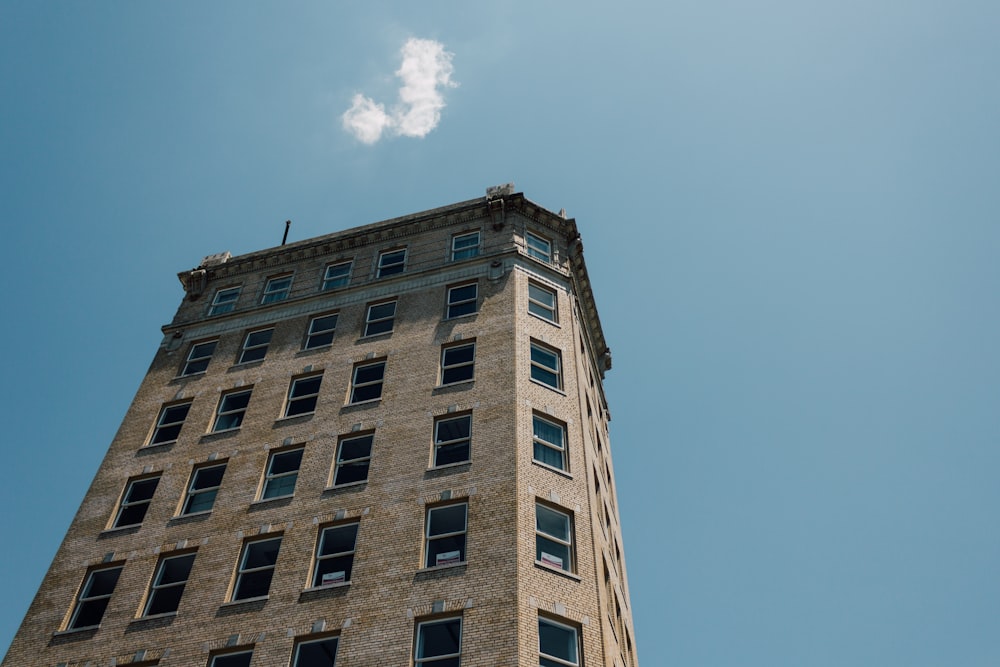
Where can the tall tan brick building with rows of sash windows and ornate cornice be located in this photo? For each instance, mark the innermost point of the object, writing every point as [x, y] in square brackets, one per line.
[388, 444]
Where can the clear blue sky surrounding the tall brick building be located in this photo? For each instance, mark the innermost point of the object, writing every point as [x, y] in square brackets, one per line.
[789, 211]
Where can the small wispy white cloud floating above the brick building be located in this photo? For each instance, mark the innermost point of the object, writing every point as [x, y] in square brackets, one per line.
[426, 68]
